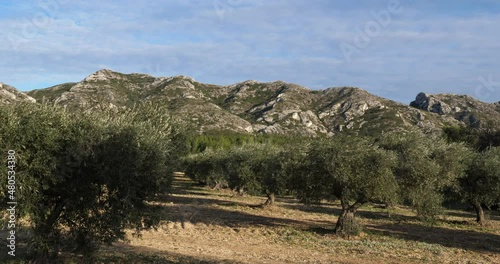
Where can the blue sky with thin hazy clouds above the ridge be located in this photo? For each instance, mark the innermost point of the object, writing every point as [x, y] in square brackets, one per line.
[390, 48]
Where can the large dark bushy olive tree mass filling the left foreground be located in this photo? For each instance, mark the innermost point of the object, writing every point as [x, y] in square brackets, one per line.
[83, 178]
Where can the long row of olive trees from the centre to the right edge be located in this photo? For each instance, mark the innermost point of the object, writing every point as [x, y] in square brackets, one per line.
[411, 168]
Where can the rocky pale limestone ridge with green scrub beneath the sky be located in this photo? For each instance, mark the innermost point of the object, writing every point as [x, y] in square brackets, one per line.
[273, 107]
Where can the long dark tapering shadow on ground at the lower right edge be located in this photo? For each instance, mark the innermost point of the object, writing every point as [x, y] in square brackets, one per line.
[463, 239]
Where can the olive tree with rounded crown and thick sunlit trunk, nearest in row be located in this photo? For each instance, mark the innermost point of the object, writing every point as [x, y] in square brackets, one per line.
[351, 169]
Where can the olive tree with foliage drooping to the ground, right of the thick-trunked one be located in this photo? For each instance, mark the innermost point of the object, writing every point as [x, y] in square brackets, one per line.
[427, 165]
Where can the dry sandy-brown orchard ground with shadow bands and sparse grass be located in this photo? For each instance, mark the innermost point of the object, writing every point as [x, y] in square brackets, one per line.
[202, 225]
